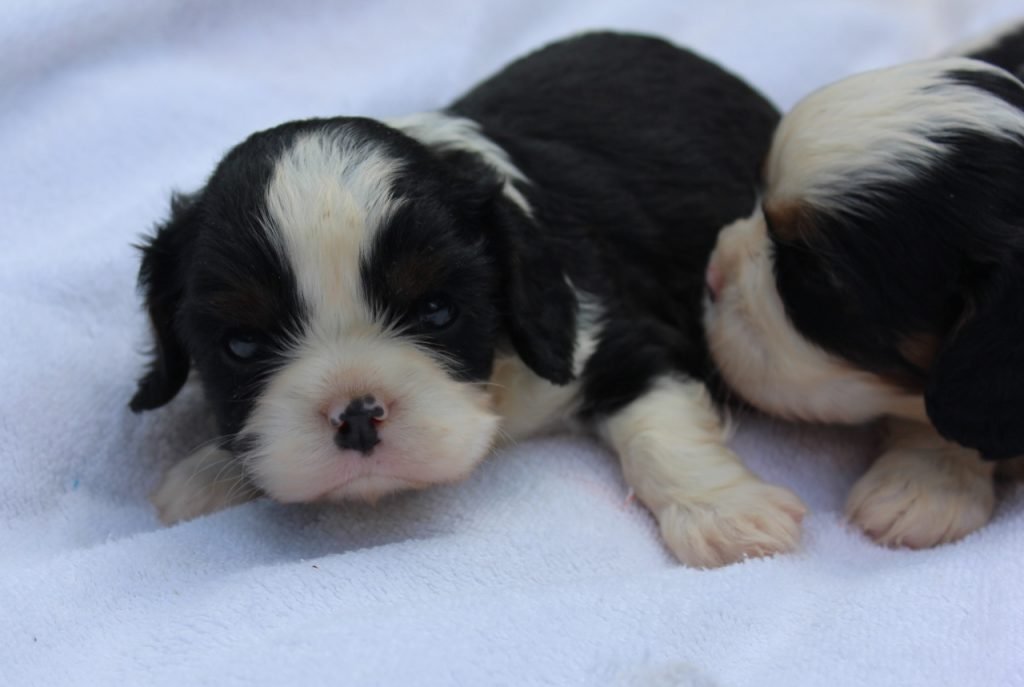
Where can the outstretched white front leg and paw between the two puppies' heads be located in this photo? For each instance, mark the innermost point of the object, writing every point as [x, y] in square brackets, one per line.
[711, 509]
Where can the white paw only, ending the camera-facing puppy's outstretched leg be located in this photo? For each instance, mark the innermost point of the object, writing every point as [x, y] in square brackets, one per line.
[748, 520]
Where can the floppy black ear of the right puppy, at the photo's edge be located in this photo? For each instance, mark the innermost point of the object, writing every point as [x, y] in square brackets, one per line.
[975, 394]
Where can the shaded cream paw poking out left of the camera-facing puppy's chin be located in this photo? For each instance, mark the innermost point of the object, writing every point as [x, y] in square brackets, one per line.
[209, 481]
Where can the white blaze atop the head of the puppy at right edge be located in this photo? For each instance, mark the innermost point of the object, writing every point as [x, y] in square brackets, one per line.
[880, 127]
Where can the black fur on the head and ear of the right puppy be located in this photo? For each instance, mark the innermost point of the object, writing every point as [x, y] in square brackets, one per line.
[940, 257]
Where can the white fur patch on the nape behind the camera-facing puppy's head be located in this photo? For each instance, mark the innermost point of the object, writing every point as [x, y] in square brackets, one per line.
[445, 133]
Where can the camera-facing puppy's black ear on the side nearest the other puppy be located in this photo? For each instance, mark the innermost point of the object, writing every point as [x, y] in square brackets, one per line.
[539, 307]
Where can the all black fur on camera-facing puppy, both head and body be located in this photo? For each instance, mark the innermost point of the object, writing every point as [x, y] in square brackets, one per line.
[636, 153]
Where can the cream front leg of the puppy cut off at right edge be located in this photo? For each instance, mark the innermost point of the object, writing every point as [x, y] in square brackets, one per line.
[923, 491]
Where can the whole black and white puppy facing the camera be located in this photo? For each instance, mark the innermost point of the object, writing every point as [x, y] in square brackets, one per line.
[370, 306]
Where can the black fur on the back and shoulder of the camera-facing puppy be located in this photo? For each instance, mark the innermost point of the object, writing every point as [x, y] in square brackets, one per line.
[637, 154]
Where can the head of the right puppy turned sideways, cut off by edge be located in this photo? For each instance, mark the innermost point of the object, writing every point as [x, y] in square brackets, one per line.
[887, 262]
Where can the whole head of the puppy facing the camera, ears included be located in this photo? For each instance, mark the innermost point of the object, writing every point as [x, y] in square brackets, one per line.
[342, 290]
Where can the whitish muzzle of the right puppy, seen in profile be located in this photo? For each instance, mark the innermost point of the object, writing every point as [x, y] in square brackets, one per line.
[766, 361]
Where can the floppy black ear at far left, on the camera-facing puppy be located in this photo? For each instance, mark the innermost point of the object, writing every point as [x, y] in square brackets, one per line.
[162, 283]
